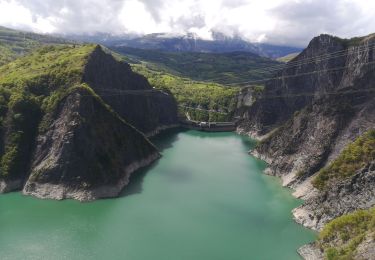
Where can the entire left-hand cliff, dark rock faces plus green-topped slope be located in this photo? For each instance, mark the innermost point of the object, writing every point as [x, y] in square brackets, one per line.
[61, 139]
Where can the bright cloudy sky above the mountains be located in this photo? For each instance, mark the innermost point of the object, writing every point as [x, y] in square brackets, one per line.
[287, 22]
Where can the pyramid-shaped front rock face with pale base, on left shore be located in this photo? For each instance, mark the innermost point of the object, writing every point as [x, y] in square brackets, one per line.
[88, 152]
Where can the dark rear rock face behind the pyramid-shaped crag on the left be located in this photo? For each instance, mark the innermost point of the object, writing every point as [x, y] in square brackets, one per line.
[129, 94]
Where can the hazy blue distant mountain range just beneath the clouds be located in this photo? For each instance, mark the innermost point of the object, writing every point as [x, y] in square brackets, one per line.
[188, 43]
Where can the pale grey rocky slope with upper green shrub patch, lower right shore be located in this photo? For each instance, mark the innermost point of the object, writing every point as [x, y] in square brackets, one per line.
[345, 185]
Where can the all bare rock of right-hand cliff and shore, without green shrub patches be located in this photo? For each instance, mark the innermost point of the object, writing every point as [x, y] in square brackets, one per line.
[322, 101]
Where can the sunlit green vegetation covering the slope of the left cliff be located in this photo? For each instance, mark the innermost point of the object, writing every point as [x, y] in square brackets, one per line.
[30, 89]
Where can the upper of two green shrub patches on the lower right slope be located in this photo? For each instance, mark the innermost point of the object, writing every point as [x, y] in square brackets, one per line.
[354, 157]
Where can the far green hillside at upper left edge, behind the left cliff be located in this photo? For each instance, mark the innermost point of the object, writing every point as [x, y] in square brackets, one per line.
[14, 44]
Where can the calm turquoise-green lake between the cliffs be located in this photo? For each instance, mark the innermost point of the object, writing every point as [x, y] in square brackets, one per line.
[205, 199]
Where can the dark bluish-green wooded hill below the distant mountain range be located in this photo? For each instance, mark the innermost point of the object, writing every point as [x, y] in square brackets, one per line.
[222, 68]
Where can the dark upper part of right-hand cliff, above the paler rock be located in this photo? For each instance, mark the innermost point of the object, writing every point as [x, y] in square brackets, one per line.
[327, 65]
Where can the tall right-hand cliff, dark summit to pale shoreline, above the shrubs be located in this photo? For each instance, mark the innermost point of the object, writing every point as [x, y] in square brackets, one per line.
[316, 106]
